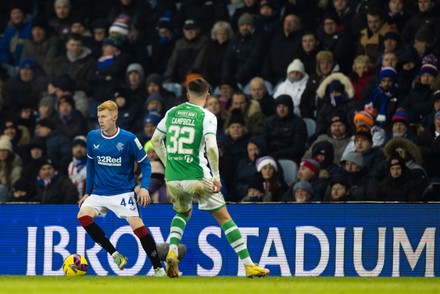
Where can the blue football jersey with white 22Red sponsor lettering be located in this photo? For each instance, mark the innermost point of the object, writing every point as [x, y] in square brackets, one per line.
[113, 160]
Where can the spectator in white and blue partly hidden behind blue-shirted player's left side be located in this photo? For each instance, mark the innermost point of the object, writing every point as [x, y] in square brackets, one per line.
[77, 167]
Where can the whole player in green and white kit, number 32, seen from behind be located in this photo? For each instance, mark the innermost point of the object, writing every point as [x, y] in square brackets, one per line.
[189, 129]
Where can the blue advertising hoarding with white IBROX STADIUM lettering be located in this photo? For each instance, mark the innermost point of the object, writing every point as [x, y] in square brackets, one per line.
[366, 240]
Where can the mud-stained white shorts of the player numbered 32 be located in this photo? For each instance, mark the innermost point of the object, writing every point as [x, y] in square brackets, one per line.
[183, 193]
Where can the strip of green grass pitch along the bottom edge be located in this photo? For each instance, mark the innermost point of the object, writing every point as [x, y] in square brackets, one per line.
[211, 285]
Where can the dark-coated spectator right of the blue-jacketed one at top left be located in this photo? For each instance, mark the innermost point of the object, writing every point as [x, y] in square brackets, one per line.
[41, 46]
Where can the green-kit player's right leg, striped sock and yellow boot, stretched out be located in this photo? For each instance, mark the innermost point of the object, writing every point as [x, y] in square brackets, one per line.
[233, 235]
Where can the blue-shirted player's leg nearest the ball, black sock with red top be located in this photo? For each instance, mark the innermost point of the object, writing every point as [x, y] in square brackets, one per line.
[86, 217]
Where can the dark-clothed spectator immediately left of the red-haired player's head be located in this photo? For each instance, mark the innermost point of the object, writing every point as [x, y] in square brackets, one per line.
[69, 120]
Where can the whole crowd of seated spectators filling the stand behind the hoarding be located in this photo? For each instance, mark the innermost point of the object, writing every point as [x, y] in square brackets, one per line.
[316, 100]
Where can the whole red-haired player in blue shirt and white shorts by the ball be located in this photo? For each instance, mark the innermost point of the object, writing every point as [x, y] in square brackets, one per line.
[111, 153]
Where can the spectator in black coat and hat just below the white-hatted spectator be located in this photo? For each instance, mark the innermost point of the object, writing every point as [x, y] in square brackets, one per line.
[285, 133]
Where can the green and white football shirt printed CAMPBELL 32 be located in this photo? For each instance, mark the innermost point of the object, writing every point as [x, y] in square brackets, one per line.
[185, 126]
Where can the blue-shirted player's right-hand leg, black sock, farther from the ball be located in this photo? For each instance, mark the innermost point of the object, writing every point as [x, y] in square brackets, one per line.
[147, 242]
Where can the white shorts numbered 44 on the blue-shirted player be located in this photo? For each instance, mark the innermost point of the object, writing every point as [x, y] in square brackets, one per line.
[123, 205]
